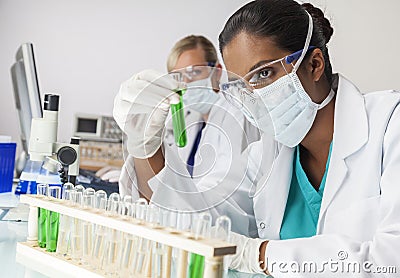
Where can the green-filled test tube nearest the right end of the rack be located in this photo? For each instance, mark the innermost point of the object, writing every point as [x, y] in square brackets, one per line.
[202, 230]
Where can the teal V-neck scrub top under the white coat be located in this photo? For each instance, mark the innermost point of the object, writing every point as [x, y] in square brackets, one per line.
[303, 203]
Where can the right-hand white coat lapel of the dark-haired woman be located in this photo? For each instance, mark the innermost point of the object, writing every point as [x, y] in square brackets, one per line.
[350, 134]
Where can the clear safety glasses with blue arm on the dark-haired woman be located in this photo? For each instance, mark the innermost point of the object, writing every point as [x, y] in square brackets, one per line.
[240, 89]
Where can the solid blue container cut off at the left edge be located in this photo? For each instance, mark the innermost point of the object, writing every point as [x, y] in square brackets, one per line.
[7, 159]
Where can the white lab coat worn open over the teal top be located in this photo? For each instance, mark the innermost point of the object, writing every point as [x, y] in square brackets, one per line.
[360, 211]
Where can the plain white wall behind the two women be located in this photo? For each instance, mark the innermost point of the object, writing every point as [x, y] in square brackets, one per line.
[85, 49]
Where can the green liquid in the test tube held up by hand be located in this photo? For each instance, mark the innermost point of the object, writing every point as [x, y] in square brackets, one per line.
[178, 121]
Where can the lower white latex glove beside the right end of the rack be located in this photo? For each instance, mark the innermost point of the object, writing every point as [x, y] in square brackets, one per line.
[247, 254]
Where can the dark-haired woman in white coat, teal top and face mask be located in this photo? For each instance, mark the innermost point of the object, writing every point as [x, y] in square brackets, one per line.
[328, 194]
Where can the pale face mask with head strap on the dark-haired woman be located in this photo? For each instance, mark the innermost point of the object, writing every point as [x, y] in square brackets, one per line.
[290, 111]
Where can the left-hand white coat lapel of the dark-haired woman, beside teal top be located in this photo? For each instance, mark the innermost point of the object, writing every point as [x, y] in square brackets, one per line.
[272, 192]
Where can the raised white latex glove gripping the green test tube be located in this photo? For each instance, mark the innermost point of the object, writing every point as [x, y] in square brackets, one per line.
[141, 108]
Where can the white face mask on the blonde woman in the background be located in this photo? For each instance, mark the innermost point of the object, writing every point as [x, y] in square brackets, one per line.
[200, 96]
